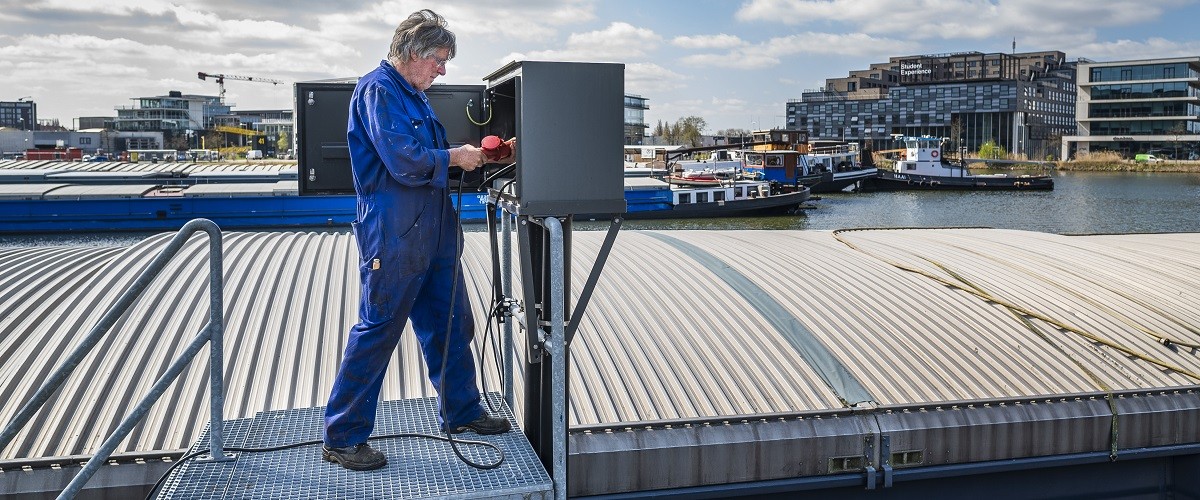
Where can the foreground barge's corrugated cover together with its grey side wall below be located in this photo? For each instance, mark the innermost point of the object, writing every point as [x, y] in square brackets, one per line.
[670, 357]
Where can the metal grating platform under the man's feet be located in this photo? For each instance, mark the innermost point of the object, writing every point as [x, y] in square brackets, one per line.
[418, 468]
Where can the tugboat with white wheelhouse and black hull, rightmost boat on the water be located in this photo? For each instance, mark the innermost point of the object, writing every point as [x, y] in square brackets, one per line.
[926, 168]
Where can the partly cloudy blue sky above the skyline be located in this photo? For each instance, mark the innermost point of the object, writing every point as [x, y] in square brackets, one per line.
[735, 64]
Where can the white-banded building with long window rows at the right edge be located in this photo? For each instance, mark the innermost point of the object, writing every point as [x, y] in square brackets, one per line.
[1139, 107]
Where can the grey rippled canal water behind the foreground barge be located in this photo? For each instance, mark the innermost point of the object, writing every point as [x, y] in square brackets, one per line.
[1082, 203]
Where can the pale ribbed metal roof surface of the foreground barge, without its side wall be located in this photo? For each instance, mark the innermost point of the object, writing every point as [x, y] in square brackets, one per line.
[683, 326]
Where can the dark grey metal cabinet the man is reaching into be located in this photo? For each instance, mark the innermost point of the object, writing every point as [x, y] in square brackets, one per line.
[569, 123]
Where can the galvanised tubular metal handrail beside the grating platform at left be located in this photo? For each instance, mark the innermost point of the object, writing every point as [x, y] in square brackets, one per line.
[213, 332]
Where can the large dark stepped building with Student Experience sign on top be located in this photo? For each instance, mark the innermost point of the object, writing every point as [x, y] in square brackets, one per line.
[1023, 103]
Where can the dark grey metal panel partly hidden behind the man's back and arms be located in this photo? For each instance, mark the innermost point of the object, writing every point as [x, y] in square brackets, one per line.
[323, 111]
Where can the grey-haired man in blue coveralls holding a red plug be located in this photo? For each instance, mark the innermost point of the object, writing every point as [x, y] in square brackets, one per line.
[409, 234]
